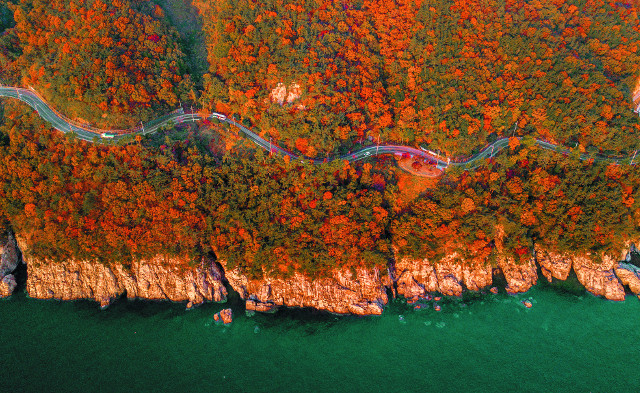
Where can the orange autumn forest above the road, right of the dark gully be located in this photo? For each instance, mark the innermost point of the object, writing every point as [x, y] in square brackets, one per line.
[453, 75]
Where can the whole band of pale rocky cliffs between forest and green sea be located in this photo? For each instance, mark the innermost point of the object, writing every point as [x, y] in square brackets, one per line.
[360, 291]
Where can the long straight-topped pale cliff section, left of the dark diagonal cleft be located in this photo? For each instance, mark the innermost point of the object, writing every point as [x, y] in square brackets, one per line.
[157, 279]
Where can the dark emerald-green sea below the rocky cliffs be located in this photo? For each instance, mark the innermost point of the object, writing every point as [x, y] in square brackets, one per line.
[569, 341]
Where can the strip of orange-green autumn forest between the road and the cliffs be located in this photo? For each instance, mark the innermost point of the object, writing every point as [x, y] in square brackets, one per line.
[262, 214]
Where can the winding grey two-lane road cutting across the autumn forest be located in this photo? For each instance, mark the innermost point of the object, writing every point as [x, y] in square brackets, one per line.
[88, 133]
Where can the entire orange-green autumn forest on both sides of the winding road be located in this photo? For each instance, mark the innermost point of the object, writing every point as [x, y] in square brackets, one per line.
[319, 77]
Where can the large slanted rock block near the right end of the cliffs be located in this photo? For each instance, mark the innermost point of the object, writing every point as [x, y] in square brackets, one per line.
[599, 279]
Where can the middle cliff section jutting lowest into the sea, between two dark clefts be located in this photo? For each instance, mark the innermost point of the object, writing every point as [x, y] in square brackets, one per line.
[343, 293]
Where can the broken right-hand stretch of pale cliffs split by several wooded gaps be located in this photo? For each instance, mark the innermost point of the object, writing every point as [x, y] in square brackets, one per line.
[417, 277]
